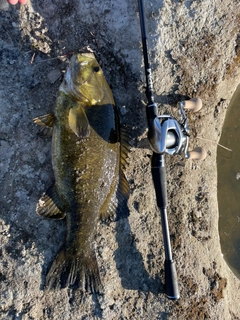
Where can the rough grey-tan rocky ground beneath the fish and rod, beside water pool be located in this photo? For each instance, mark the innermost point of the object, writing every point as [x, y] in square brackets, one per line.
[194, 49]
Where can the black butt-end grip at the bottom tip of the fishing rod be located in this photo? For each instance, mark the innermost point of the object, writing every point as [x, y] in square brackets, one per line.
[171, 282]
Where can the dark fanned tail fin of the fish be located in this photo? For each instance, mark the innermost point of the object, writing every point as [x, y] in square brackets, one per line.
[76, 269]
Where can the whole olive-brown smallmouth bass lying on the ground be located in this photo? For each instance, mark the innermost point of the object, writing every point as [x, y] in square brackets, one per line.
[87, 163]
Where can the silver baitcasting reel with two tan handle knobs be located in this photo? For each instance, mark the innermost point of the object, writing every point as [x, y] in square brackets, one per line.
[168, 135]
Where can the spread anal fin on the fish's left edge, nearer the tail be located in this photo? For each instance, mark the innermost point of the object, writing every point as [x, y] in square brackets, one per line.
[49, 205]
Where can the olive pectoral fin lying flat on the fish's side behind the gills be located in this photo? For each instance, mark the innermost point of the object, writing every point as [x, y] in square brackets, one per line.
[78, 122]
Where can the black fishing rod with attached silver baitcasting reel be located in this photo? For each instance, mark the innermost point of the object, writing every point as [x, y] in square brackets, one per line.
[166, 135]
